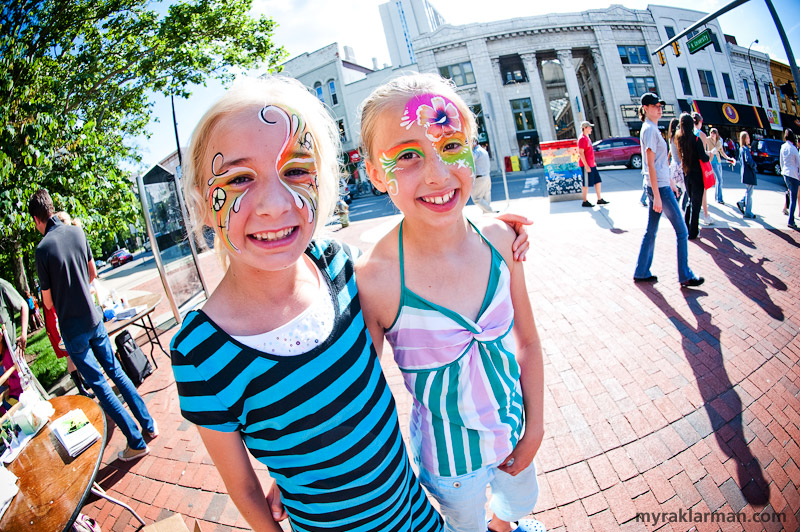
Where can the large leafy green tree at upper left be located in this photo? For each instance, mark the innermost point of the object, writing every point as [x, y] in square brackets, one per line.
[75, 76]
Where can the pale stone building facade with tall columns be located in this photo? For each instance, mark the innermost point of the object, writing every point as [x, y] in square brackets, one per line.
[534, 79]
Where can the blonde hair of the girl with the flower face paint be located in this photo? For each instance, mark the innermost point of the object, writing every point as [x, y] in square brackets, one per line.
[402, 89]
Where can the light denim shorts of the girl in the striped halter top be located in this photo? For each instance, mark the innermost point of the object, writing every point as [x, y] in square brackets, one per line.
[462, 499]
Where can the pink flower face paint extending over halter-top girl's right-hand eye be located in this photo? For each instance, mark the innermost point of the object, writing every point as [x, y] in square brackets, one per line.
[443, 125]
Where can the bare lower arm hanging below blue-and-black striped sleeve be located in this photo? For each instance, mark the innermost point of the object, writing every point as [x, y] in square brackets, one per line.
[232, 461]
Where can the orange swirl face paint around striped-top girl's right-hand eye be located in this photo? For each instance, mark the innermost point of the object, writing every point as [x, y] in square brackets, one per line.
[296, 166]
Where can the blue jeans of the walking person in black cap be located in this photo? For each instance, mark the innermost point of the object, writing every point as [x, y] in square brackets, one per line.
[669, 207]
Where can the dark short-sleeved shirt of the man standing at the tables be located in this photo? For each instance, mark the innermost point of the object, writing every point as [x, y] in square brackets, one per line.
[62, 262]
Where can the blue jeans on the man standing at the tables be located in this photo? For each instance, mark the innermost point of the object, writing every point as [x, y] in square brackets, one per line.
[91, 350]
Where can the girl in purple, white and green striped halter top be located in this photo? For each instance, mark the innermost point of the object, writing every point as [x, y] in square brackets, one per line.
[447, 295]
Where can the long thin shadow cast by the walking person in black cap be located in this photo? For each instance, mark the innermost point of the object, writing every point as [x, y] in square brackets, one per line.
[721, 402]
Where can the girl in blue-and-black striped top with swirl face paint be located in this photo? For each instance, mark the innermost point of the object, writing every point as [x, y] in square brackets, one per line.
[278, 363]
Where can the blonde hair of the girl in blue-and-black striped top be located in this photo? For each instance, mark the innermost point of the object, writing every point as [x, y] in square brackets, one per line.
[258, 93]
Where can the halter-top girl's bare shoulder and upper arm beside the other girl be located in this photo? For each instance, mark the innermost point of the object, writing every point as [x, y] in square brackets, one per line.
[378, 281]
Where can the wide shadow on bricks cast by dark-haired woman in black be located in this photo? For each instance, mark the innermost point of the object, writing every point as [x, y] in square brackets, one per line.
[746, 274]
